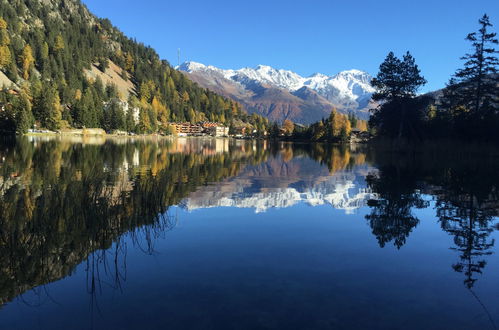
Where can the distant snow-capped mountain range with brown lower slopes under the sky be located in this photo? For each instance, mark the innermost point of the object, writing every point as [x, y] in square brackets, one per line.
[281, 94]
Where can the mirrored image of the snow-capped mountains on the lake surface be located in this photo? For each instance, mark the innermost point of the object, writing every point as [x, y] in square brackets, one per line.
[291, 177]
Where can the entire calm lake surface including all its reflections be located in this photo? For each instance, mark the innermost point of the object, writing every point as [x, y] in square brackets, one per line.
[224, 234]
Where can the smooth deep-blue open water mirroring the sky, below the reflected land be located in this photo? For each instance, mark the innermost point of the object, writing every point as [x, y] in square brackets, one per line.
[232, 266]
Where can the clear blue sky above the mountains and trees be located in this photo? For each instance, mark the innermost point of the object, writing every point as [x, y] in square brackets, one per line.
[304, 36]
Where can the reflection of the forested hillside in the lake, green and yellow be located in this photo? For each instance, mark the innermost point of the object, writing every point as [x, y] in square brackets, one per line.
[60, 200]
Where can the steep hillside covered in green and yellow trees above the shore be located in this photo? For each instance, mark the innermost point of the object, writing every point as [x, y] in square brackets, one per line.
[63, 67]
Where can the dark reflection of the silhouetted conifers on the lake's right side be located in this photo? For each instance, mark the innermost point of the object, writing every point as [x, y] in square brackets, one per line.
[464, 188]
